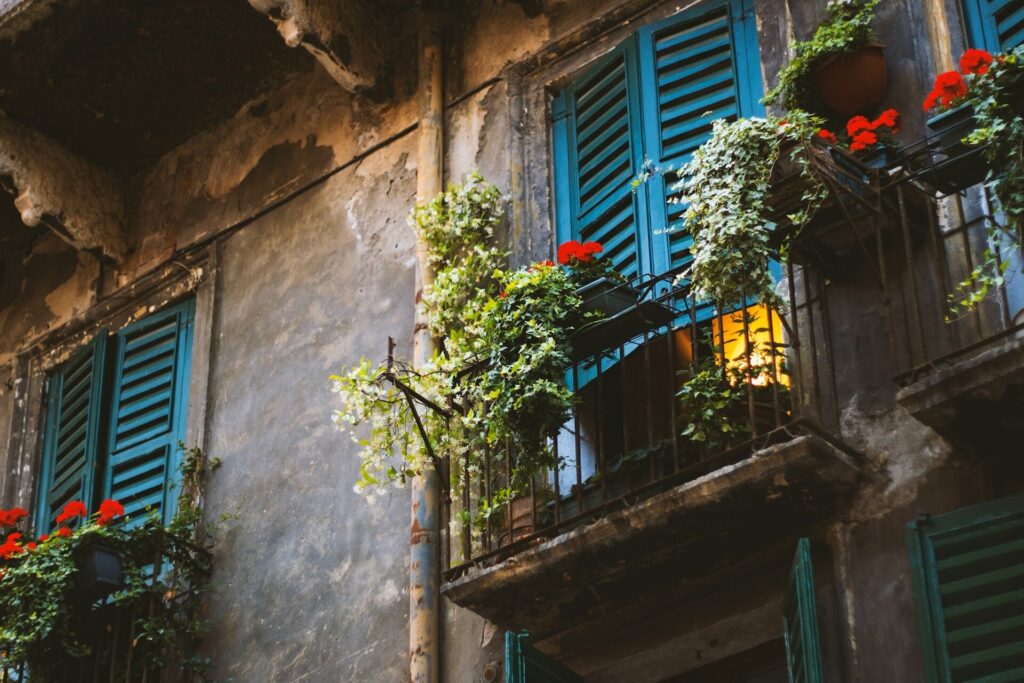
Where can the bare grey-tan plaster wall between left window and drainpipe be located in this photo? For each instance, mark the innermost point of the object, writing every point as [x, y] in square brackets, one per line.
[312, 580]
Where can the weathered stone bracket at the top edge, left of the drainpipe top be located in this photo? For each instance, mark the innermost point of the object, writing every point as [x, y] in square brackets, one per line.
[342, 34]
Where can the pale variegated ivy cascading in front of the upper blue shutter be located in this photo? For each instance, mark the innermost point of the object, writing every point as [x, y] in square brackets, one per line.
[728, 186]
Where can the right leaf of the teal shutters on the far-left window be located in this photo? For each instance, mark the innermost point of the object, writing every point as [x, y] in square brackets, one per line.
[148, 411]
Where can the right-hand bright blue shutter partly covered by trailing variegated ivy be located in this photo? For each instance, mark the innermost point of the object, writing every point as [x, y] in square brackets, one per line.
[697, 67]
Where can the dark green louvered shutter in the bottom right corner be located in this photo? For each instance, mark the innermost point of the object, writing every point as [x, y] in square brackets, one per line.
[968, 572]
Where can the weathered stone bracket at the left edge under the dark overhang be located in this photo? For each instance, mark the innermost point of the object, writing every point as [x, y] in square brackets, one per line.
[82, 203]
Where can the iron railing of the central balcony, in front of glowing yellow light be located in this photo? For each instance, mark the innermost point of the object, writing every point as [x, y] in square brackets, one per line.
[628, 438]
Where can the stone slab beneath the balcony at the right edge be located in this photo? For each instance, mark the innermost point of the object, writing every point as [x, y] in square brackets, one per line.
[977, 402]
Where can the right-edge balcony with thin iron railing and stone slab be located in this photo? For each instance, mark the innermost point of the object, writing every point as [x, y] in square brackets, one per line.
[961, 370]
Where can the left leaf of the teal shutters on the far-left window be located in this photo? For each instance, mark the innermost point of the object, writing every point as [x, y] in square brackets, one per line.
[71, 438]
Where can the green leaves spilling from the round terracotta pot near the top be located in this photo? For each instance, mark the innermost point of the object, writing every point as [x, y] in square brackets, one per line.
[847, 30]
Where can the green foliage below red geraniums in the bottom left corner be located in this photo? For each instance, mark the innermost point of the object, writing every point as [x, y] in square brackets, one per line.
[44, 621]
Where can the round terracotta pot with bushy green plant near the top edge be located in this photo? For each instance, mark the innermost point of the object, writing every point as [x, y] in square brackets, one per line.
[842, 66]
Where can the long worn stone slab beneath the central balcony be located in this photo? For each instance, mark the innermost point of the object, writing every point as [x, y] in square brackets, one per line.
[663, 543]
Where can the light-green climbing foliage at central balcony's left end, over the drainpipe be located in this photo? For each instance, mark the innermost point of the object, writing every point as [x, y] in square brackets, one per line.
[498, 380]
